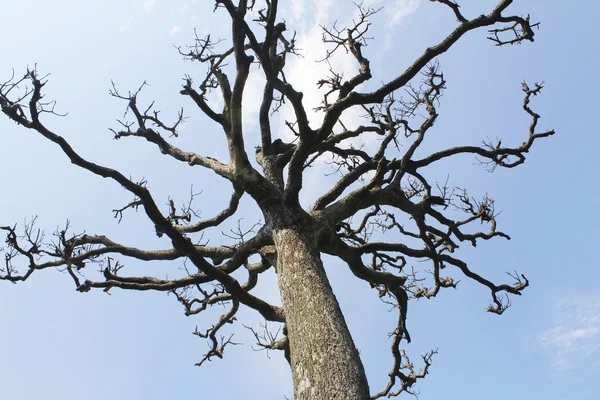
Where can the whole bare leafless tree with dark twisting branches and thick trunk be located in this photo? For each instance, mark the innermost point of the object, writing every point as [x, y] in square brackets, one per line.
[380, 190]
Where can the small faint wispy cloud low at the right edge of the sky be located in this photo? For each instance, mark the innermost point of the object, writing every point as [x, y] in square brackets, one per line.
[574, 334]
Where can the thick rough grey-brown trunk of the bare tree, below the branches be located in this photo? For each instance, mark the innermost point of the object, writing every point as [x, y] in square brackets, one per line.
[325, 363]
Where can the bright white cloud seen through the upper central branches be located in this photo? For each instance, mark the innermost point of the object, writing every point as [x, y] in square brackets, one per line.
[304, 72]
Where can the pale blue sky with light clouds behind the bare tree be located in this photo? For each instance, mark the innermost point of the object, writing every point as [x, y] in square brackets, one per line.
[60, 343]
